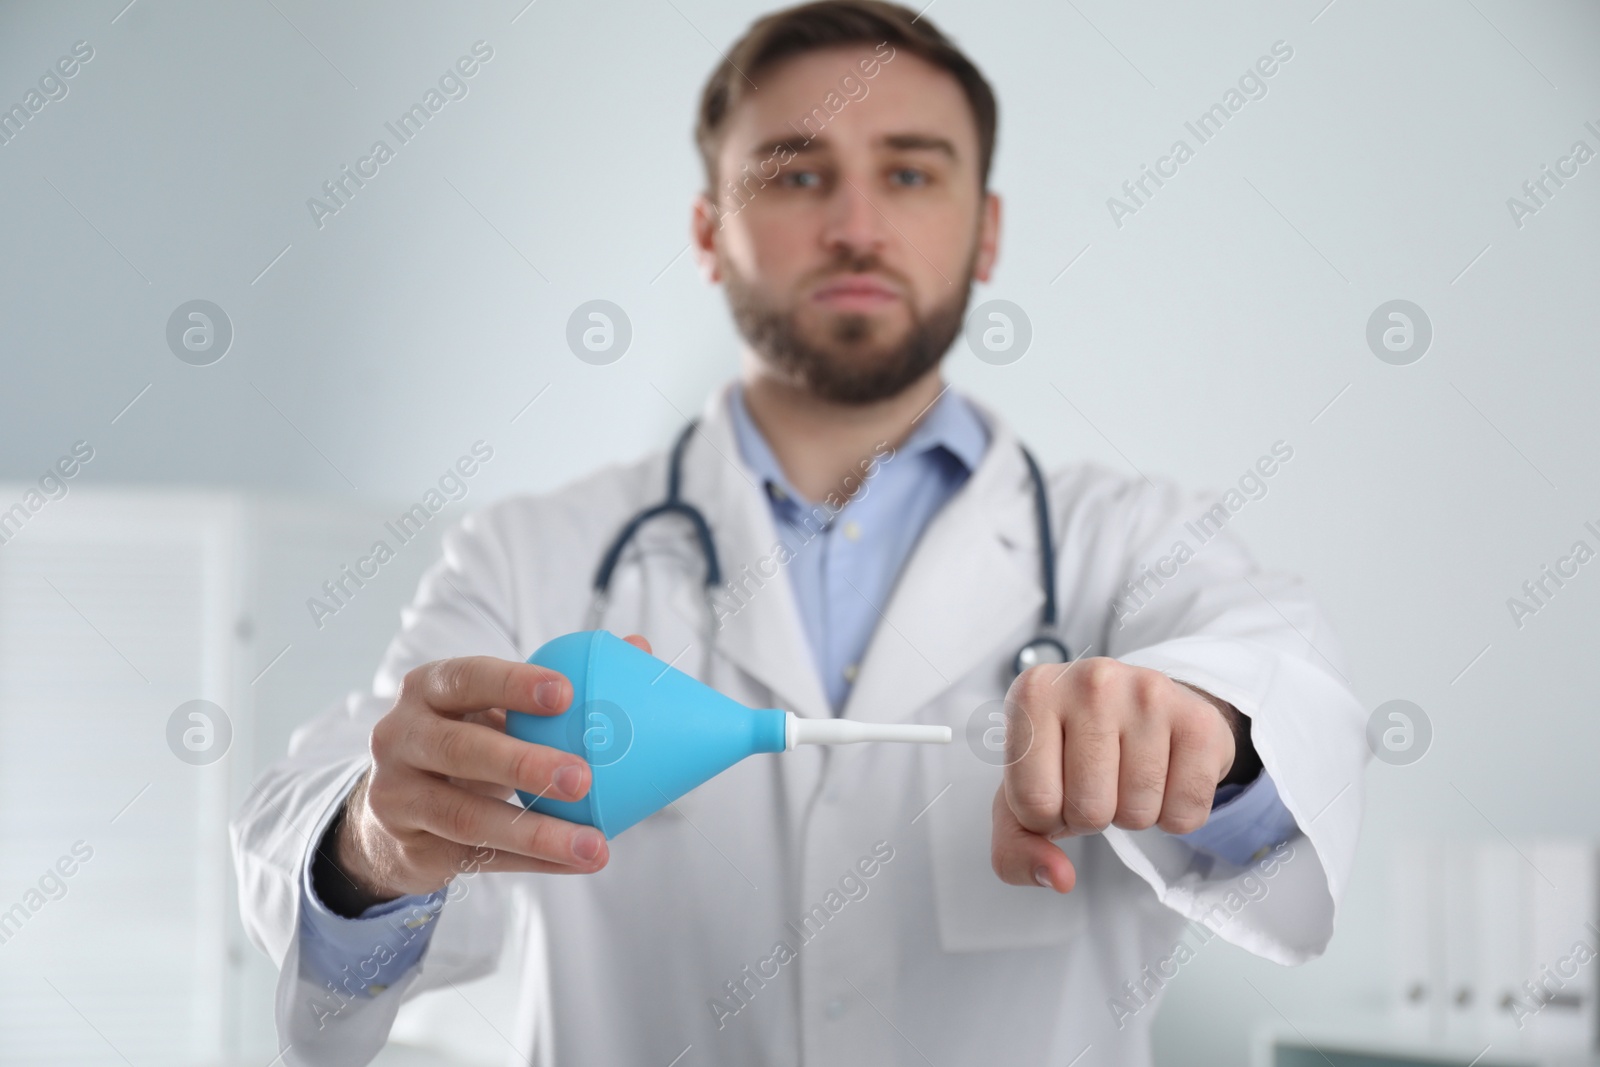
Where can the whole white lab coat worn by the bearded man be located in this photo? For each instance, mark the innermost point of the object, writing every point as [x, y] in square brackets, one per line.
[938, 962]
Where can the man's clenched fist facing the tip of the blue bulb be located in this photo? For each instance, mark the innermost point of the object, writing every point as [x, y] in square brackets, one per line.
[1100, 743]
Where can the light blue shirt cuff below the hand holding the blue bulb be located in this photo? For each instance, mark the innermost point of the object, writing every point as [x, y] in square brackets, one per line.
[364, 956]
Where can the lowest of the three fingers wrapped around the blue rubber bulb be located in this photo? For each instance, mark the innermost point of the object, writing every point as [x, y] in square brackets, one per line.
[478, 821]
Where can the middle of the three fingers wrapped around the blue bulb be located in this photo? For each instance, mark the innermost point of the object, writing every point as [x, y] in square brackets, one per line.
[487, 756]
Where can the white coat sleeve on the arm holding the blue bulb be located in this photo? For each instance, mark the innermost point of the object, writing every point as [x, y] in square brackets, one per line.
[460, 609]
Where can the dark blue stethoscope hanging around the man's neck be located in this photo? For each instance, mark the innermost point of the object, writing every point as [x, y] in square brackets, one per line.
[1042, 649]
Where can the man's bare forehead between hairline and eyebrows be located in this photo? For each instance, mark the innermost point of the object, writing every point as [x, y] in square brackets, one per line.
[847, 108]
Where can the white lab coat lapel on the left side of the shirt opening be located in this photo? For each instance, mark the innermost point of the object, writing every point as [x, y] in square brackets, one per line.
[761, 620]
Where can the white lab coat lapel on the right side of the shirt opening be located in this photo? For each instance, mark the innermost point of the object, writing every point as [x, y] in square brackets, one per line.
[969, 585]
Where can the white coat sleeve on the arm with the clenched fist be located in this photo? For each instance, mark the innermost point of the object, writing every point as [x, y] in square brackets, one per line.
[1204, 613]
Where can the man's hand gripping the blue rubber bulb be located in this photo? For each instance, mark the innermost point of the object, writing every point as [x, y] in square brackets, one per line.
[433, 805]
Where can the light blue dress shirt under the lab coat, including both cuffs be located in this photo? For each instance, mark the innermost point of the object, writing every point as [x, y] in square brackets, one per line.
[844, 569]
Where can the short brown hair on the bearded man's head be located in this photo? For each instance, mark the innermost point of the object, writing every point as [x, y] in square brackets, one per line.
[828, 25]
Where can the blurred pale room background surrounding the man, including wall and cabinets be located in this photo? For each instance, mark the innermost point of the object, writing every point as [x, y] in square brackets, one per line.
[170, 506]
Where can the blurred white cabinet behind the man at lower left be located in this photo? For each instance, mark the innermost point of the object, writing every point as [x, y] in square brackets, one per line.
[116, 609]
